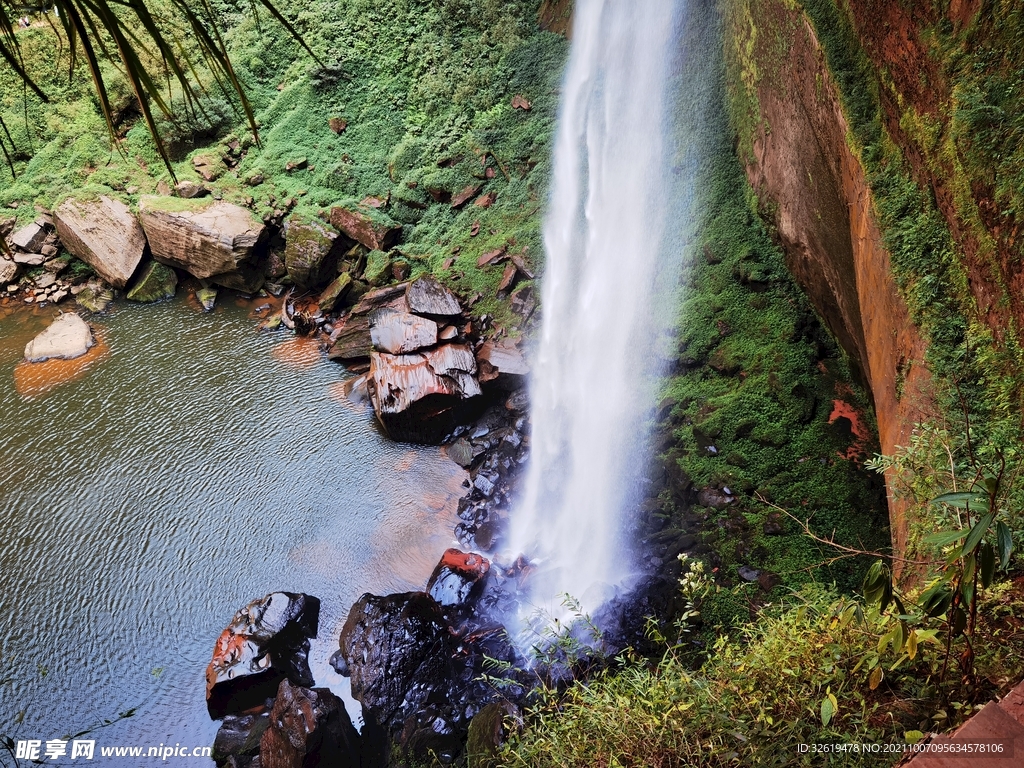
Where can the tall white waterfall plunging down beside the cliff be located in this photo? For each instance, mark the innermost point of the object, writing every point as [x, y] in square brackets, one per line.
[610, 262]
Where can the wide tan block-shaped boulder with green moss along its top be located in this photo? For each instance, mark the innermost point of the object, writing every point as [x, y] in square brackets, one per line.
[211, 240]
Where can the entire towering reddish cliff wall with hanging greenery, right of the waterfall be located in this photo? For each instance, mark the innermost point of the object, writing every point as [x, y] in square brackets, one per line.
[882, 142]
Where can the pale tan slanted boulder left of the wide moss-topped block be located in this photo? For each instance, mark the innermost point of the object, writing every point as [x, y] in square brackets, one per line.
[104, 234]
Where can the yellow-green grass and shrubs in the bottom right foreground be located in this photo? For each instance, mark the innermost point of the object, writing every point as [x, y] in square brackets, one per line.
[810, 671]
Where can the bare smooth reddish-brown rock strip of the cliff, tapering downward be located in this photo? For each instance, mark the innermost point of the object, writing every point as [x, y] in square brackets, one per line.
[814, 189]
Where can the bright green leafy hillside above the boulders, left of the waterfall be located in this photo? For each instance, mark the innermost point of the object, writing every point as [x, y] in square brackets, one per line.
[421, 93]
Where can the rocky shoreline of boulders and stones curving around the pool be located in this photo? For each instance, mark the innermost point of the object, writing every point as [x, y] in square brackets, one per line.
[434, 373]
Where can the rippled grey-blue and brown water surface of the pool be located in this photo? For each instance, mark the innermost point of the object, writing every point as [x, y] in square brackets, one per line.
[189, 465]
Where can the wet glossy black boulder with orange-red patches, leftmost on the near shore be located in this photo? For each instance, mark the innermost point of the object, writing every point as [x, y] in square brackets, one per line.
[268, 642]
